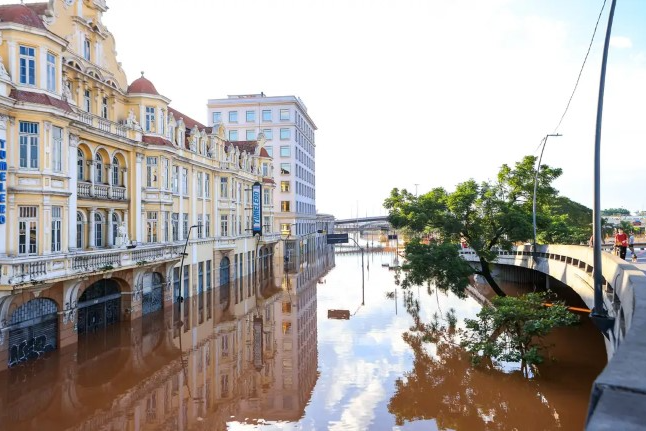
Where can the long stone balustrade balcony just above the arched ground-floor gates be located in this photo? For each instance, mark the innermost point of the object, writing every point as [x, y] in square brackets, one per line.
[37, 270]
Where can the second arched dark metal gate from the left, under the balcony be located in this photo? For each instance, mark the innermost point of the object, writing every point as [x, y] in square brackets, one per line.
[99, 306]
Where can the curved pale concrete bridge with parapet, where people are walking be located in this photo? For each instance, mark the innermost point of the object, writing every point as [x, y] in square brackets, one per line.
[619, 392]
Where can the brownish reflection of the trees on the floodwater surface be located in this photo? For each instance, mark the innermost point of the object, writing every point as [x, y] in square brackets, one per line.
[444, 386]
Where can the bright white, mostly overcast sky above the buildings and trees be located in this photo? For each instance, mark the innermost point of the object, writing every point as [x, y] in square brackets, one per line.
[411, 92]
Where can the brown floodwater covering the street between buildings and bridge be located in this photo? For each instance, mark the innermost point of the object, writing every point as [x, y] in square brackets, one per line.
[333, 357]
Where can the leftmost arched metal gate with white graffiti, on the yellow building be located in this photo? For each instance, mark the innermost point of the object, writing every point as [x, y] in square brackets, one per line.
[33, 330]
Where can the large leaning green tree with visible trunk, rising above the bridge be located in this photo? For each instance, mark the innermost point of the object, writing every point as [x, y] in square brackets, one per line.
[490, 215]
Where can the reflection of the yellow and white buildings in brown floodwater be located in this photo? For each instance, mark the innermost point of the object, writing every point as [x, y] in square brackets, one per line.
[190, 368]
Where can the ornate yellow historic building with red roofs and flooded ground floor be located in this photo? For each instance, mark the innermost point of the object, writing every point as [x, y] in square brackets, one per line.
[102, 183]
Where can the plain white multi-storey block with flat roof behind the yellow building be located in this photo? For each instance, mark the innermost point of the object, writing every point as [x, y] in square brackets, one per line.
[289, 133]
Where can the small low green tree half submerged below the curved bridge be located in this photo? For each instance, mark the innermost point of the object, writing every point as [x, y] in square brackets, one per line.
[512, 329]
